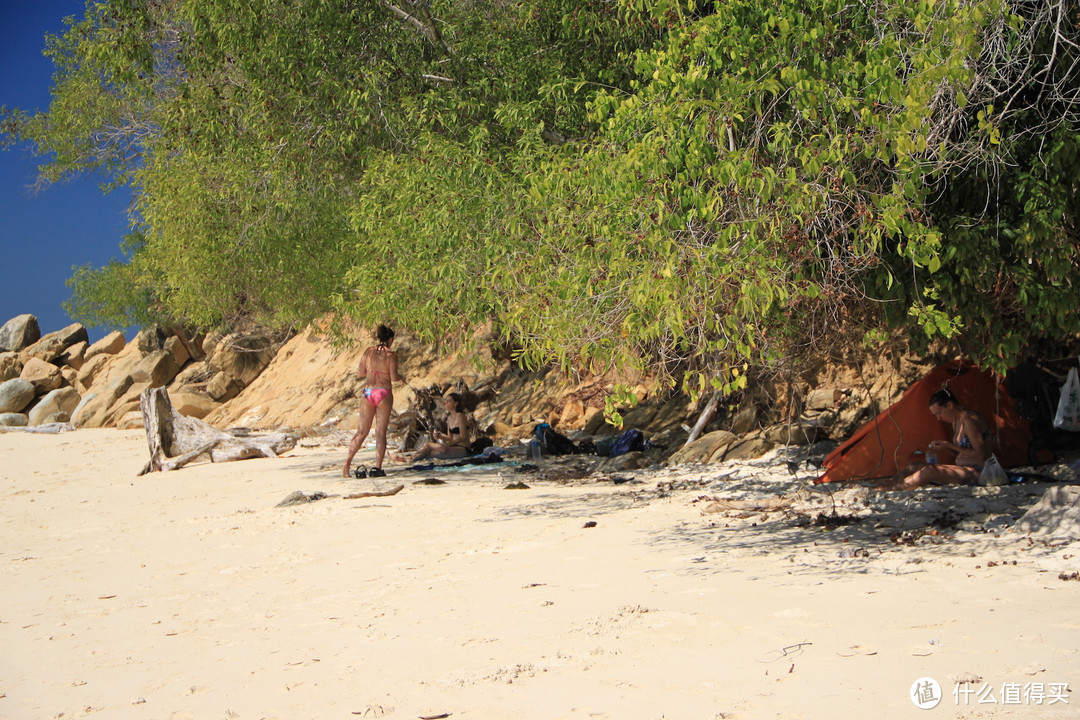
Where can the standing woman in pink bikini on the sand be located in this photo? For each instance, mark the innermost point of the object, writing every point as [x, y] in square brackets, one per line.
[379, 368]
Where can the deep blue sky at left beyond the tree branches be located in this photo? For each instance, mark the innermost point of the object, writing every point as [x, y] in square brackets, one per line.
[43, 237]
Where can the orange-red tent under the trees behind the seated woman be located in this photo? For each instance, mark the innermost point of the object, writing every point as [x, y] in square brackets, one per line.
[885, 445]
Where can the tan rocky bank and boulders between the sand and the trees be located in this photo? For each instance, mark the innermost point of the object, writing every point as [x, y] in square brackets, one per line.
[261, 382]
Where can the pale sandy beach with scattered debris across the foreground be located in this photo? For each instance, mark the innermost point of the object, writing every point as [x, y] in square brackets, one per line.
[698, 594]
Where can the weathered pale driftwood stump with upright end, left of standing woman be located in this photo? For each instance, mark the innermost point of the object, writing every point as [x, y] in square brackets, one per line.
[177, 440]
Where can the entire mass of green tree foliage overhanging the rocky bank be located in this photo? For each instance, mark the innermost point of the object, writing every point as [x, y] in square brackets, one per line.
[680, 185]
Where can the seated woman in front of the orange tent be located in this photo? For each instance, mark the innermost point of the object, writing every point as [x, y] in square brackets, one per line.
[971, 443]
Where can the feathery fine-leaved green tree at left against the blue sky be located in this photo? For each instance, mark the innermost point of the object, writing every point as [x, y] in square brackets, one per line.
[247, 129]
